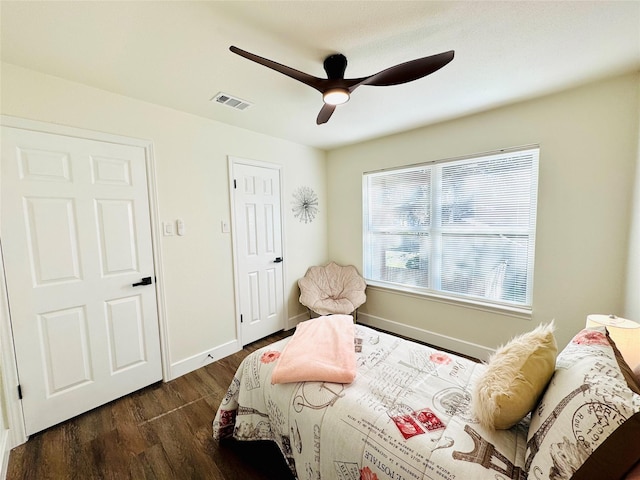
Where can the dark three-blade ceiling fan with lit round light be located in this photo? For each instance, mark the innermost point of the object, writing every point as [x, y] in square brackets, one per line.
[336, 89]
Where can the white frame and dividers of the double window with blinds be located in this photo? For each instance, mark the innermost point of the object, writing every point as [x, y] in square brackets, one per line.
[436, 231]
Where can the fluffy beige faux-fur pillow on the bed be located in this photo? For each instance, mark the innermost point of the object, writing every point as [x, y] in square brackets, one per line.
[516, 376]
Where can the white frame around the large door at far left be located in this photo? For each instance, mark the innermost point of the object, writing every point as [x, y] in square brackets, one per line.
[8, 364]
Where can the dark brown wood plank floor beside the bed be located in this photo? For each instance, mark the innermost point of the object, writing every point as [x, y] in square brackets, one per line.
[160, 432]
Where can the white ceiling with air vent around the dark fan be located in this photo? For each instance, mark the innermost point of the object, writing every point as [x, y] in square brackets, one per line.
[177, 54]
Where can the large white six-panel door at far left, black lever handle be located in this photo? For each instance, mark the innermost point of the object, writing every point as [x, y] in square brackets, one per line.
[76, 236]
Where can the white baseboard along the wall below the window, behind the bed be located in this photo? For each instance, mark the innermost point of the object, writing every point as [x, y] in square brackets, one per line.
[436, 339]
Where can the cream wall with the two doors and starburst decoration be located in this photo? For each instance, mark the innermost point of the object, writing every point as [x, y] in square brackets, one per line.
[192, 183]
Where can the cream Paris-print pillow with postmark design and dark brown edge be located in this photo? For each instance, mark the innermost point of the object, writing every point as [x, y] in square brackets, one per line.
[587, 424]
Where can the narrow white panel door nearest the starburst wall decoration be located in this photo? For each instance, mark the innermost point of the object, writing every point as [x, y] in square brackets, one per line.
[258, 233]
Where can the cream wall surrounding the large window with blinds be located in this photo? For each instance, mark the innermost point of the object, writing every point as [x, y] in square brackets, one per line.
[588, 153]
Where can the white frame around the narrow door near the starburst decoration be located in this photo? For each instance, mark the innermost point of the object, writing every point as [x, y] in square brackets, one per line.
[232, 160]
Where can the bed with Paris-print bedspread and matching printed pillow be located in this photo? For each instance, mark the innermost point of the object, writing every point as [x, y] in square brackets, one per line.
[409, 414]
